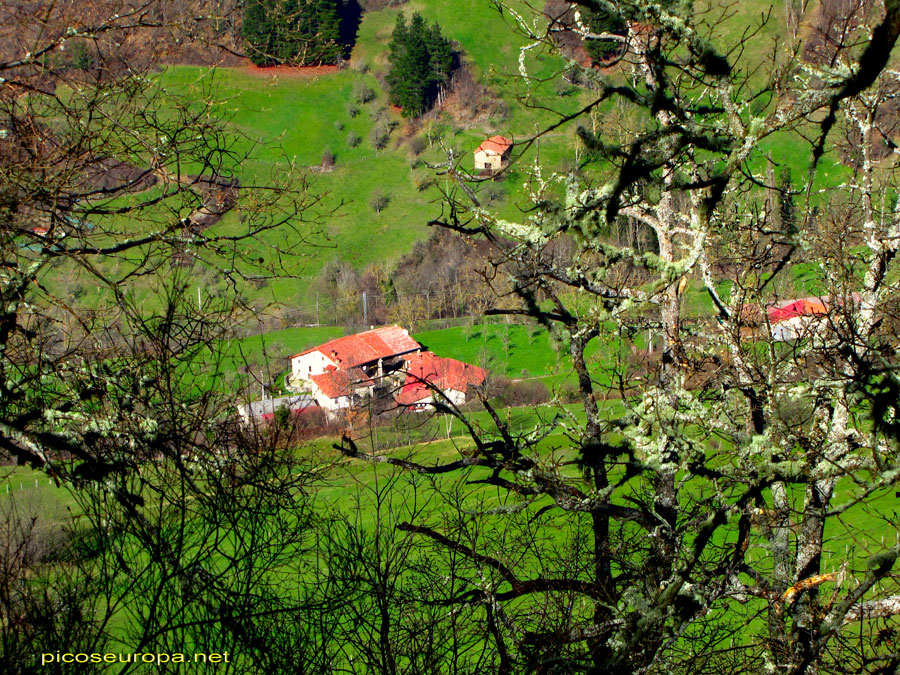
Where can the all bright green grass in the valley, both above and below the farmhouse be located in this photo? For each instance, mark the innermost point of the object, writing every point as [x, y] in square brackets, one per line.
[287, 123]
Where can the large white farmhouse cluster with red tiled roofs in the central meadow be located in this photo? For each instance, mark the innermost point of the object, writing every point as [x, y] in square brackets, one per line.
[383, 368]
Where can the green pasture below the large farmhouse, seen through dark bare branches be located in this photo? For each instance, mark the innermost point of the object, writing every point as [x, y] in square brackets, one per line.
[355, 493]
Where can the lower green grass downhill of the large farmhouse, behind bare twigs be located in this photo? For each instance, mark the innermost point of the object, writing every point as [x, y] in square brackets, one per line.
[351, 488]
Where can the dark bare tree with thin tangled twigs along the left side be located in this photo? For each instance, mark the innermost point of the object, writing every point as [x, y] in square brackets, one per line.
[188, 524]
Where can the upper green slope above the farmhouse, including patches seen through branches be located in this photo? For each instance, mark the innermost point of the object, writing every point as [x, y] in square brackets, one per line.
[290, 119]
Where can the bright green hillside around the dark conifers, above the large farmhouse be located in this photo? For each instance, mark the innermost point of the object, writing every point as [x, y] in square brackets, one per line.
[289, 119]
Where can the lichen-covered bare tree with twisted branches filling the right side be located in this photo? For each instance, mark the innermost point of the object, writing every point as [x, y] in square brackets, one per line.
[700, 523]
